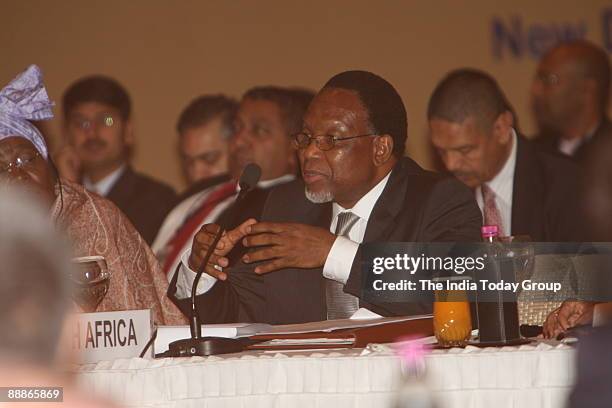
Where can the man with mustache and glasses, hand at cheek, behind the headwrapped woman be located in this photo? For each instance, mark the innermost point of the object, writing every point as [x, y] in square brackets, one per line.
[99, 132]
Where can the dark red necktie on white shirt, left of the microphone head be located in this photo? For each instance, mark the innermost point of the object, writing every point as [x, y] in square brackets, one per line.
[177, 243]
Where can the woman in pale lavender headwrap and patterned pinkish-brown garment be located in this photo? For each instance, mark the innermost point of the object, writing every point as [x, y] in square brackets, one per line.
[93, 224]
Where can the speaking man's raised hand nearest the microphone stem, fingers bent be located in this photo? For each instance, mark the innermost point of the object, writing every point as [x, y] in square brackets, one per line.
[204, 239]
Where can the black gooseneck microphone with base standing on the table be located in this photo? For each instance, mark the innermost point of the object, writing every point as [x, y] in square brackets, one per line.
[197, 345]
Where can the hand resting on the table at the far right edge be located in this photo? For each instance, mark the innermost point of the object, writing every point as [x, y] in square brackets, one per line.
[570, 314]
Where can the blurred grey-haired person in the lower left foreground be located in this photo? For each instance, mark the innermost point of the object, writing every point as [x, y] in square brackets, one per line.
[34, 298]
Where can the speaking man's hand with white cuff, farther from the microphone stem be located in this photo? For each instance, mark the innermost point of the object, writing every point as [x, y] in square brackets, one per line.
[287, 246]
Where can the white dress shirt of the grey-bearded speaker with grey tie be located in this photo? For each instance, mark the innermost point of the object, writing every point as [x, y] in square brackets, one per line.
[340, 258]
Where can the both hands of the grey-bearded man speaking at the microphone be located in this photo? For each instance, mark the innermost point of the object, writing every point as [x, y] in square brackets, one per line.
[277, 246]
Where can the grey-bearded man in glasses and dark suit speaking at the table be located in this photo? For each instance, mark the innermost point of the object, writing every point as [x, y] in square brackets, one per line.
[357, 188]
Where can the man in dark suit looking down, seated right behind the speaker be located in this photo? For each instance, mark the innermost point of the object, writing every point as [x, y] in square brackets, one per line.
[518, 188]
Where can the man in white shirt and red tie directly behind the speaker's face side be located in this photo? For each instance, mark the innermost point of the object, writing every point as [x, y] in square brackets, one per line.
[266, 119]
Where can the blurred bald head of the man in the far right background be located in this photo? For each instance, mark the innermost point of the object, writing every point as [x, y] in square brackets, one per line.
[569, 96]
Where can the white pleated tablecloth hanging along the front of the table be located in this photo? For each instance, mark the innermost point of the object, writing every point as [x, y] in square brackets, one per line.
[509, 377]
